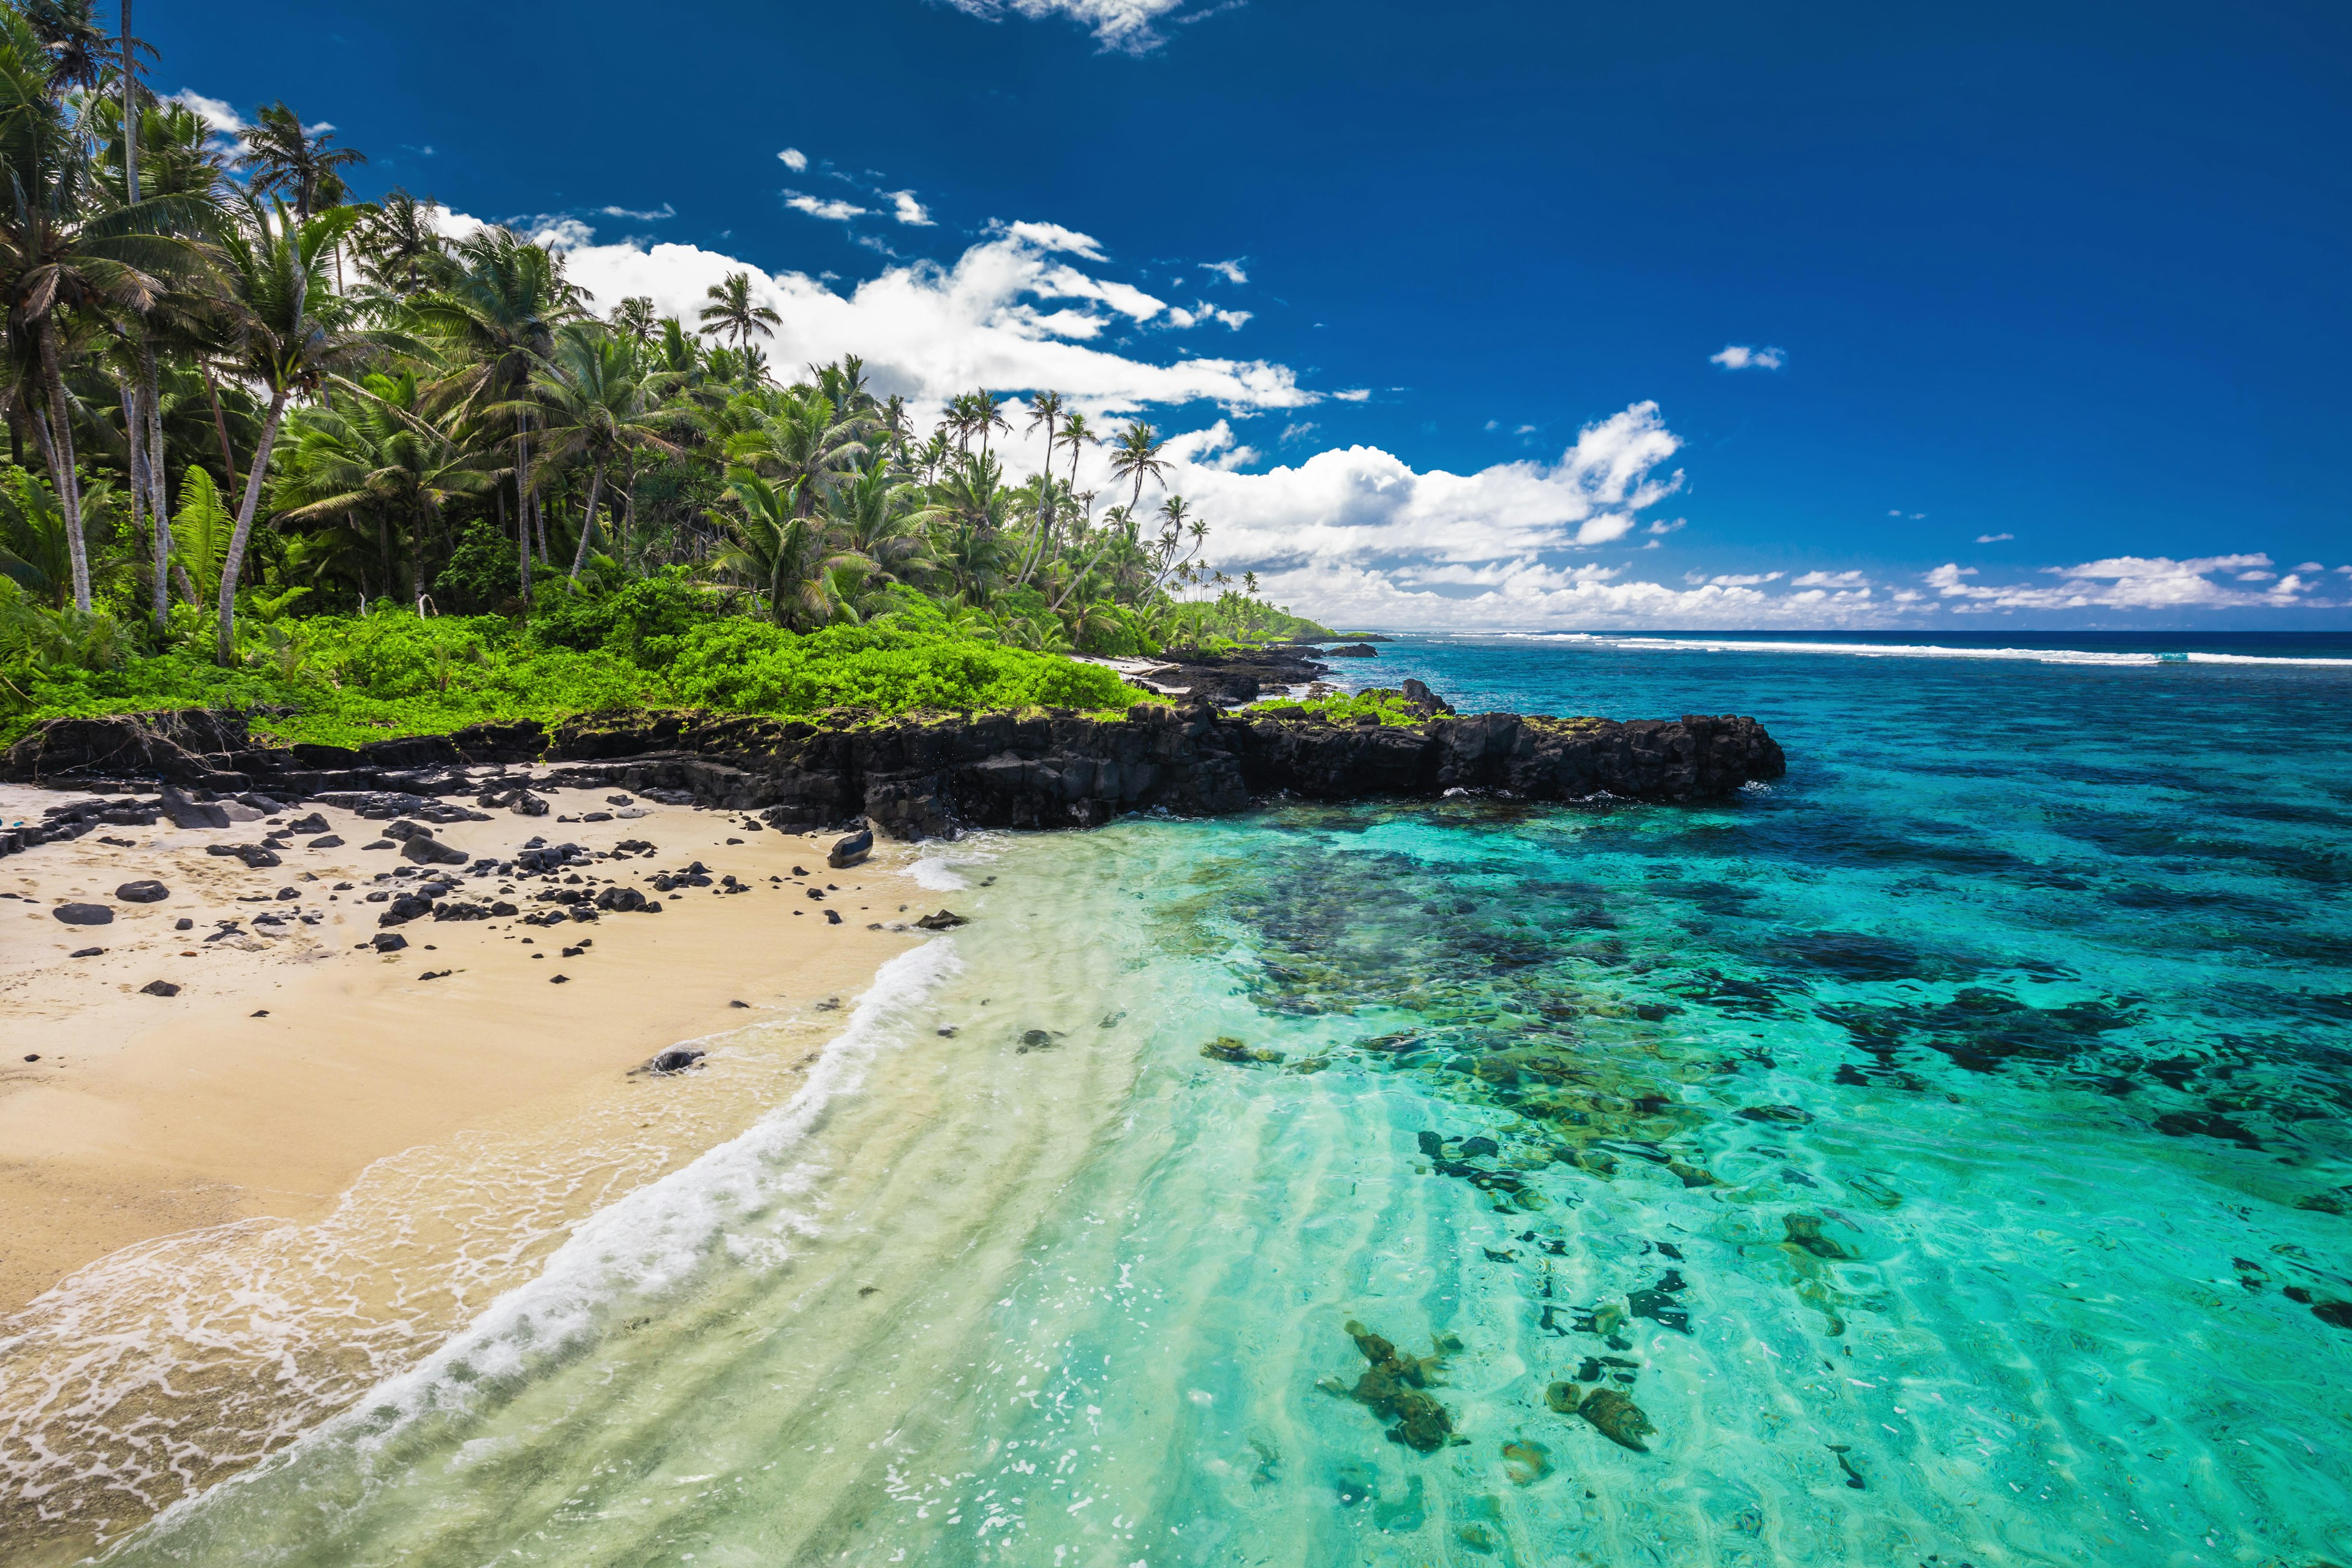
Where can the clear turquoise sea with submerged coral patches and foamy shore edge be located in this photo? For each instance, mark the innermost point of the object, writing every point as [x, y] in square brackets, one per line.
[1942, 1151]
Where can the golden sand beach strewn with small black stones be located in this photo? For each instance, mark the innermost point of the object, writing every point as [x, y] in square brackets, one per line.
[295, 1054]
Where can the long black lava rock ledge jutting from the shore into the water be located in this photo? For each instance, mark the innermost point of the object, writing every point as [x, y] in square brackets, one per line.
[926, 777]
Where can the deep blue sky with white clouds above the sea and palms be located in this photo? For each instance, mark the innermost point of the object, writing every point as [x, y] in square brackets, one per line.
[2043, 307]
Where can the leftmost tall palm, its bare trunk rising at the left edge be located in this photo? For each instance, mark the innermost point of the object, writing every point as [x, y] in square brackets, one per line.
[65, 250]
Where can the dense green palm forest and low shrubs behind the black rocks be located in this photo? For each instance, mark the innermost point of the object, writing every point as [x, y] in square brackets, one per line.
[316, 457]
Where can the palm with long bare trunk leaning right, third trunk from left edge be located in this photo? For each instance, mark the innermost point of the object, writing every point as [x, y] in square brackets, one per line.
[286, 344]
